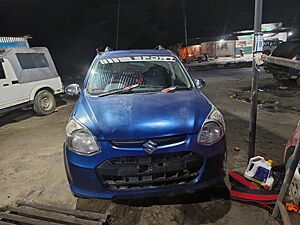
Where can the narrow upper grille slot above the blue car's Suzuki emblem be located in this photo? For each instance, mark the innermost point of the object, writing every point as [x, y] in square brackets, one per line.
[138, 143]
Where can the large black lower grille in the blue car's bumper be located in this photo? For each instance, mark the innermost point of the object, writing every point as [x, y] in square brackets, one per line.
[142, 172]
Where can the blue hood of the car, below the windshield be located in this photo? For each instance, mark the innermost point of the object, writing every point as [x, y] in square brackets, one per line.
[143, 115]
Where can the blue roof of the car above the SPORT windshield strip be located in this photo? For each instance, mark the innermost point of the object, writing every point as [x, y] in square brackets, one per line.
[136, 52]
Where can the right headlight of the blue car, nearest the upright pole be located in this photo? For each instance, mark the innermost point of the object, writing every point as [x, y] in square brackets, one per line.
[213, 128]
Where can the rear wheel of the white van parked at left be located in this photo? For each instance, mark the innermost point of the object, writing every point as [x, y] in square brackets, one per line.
[44, 103]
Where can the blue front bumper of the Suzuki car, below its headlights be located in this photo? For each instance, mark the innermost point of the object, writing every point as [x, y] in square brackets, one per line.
[85, 178]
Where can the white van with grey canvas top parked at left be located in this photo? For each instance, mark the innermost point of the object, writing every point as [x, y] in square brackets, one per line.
[28, 77]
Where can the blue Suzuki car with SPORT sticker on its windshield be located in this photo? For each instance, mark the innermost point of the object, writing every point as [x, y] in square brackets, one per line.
[142, 127]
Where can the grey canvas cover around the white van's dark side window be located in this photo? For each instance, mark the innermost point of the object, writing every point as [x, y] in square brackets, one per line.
[33, 74]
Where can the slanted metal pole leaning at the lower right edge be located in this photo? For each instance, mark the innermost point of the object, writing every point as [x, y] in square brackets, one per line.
[288, 178]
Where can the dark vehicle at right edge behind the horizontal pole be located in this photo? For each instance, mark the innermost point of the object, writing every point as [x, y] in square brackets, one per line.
[288, 50]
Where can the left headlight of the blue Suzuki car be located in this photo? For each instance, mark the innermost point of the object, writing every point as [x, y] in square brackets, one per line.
[80, 139]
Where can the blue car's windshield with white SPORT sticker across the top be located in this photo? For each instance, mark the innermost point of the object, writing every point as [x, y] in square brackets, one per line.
[148, 73]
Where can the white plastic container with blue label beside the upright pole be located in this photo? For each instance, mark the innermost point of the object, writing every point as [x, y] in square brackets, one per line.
[258, 170]
